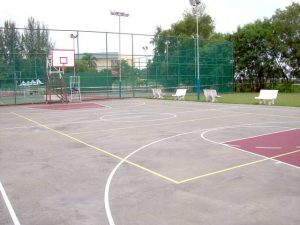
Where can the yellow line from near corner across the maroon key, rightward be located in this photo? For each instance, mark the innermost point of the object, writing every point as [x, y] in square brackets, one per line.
[236, 167]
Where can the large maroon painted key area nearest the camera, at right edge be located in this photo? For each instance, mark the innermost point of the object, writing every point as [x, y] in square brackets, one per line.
[283, 146]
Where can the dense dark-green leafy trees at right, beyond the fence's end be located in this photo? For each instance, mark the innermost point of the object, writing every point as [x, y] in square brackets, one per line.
[267, 51]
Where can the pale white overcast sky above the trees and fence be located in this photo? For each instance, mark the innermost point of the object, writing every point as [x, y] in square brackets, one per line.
[145, 15]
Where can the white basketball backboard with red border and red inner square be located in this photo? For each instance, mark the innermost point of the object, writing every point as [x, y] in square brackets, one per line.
[63, 58]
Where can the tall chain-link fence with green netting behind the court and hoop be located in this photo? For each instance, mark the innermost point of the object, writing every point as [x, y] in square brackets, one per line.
[147, 62]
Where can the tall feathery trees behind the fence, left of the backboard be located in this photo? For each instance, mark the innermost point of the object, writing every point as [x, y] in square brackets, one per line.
[24, 53]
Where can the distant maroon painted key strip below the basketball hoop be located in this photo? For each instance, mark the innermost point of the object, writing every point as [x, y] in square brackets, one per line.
[69, 106]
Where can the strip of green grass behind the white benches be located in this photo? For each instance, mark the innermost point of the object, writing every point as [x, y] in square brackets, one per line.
[283, 99]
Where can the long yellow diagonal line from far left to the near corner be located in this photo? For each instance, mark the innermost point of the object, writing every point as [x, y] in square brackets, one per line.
[98, 149]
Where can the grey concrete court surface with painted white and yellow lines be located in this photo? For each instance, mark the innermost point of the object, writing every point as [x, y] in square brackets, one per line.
[146, 162]
